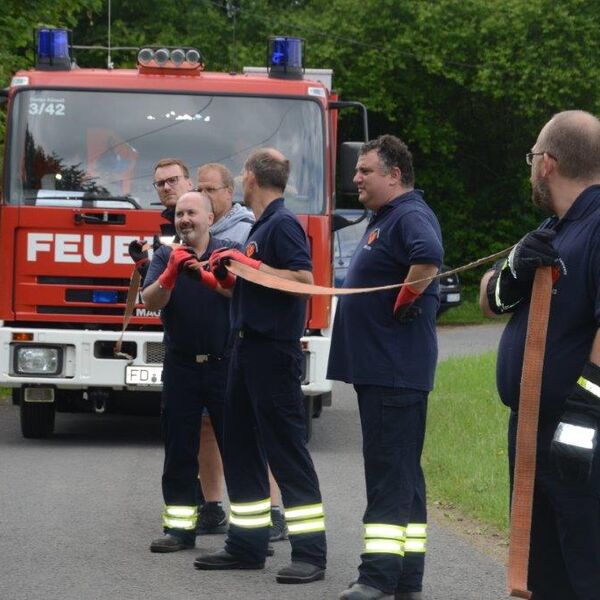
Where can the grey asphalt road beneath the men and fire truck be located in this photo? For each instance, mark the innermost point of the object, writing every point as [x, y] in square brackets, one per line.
[78, 511]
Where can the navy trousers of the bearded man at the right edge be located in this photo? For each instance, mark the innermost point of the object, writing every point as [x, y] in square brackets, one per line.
[564, 558]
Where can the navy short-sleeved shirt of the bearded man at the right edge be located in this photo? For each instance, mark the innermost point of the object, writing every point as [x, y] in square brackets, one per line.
[574, 312]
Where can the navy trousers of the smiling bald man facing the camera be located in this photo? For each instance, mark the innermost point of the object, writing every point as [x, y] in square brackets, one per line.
[188, 387]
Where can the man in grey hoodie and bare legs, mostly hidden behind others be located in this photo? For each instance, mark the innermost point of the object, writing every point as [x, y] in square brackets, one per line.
[232, 222]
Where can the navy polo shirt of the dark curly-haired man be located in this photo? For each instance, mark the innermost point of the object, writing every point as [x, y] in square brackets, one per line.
[369, 346]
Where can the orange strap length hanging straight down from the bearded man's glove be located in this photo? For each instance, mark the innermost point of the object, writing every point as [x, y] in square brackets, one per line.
[527, 427]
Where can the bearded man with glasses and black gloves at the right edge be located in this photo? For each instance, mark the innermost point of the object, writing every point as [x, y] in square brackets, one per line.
[564, 559]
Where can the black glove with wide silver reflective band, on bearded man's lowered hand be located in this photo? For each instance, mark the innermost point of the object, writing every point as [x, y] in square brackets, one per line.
[576, 437]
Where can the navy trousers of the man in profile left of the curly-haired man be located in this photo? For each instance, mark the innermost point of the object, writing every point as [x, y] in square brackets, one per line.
[264, 421]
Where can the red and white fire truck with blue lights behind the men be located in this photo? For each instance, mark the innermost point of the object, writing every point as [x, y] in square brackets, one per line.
[80, 149]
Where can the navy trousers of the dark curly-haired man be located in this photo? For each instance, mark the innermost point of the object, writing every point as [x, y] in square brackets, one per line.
[393, 428]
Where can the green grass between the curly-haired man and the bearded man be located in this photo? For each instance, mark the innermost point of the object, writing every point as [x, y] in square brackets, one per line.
[465, 459]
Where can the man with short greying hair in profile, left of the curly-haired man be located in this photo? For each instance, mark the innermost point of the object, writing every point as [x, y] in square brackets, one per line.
[264, 389]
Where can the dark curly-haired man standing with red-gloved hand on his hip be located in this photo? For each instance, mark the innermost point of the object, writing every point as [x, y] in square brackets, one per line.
[385, 344]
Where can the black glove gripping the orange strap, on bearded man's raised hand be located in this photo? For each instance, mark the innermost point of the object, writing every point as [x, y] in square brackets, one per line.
[534, 250]
